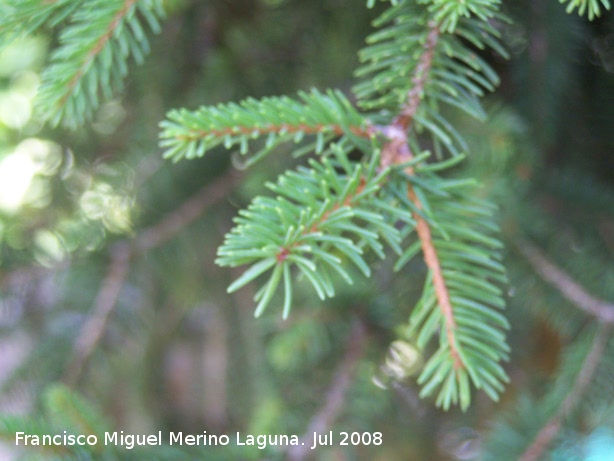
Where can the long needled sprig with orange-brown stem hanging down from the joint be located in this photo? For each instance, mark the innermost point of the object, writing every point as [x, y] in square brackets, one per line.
[460, 299]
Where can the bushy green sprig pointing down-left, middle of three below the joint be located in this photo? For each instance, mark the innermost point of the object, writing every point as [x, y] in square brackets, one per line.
[320, 212]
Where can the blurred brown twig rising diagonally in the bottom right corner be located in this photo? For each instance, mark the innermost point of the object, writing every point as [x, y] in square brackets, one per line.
[549, 431]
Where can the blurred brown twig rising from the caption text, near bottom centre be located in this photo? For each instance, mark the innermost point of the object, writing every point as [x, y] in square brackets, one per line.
[335, 396]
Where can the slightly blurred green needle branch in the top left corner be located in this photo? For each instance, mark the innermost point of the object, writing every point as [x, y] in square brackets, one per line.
[91, 61]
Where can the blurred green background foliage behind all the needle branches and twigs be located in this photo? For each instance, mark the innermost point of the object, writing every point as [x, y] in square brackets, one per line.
[82, 212]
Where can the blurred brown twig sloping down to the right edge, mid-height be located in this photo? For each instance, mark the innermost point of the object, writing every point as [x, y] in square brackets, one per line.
[569, 288]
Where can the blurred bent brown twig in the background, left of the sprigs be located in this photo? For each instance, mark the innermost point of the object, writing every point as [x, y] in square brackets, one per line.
[121, 255]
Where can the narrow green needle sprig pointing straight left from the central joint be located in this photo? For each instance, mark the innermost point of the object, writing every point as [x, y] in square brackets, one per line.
[191, 134]
